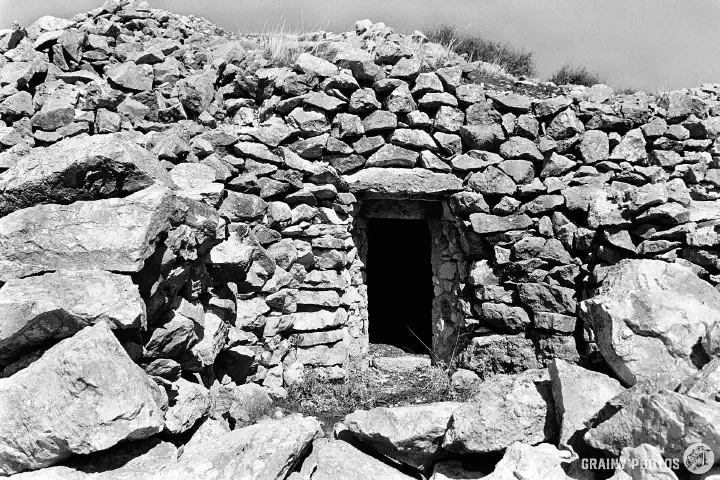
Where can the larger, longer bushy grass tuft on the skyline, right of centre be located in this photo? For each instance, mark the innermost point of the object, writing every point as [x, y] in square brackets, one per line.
[516, 61]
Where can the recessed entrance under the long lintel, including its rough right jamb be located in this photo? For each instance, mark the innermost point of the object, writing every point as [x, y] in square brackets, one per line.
[412, 261]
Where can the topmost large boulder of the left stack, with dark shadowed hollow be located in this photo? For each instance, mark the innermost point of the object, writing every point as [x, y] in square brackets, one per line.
[80, 168]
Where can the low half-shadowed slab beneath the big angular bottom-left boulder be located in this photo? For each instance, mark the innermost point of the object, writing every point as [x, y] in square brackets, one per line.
[129, 461]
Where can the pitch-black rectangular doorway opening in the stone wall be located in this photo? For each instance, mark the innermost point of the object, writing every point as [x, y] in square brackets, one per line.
[399, 280]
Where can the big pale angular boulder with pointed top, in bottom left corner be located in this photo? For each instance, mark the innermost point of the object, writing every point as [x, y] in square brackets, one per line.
[82, 396]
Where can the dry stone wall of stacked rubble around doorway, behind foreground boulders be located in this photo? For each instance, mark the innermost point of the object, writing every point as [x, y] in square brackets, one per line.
[223, 196]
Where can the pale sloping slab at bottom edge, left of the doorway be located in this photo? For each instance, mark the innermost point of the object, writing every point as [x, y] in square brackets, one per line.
[270, 450]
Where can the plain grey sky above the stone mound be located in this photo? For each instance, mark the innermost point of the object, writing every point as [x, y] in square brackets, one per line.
[645, 44]
